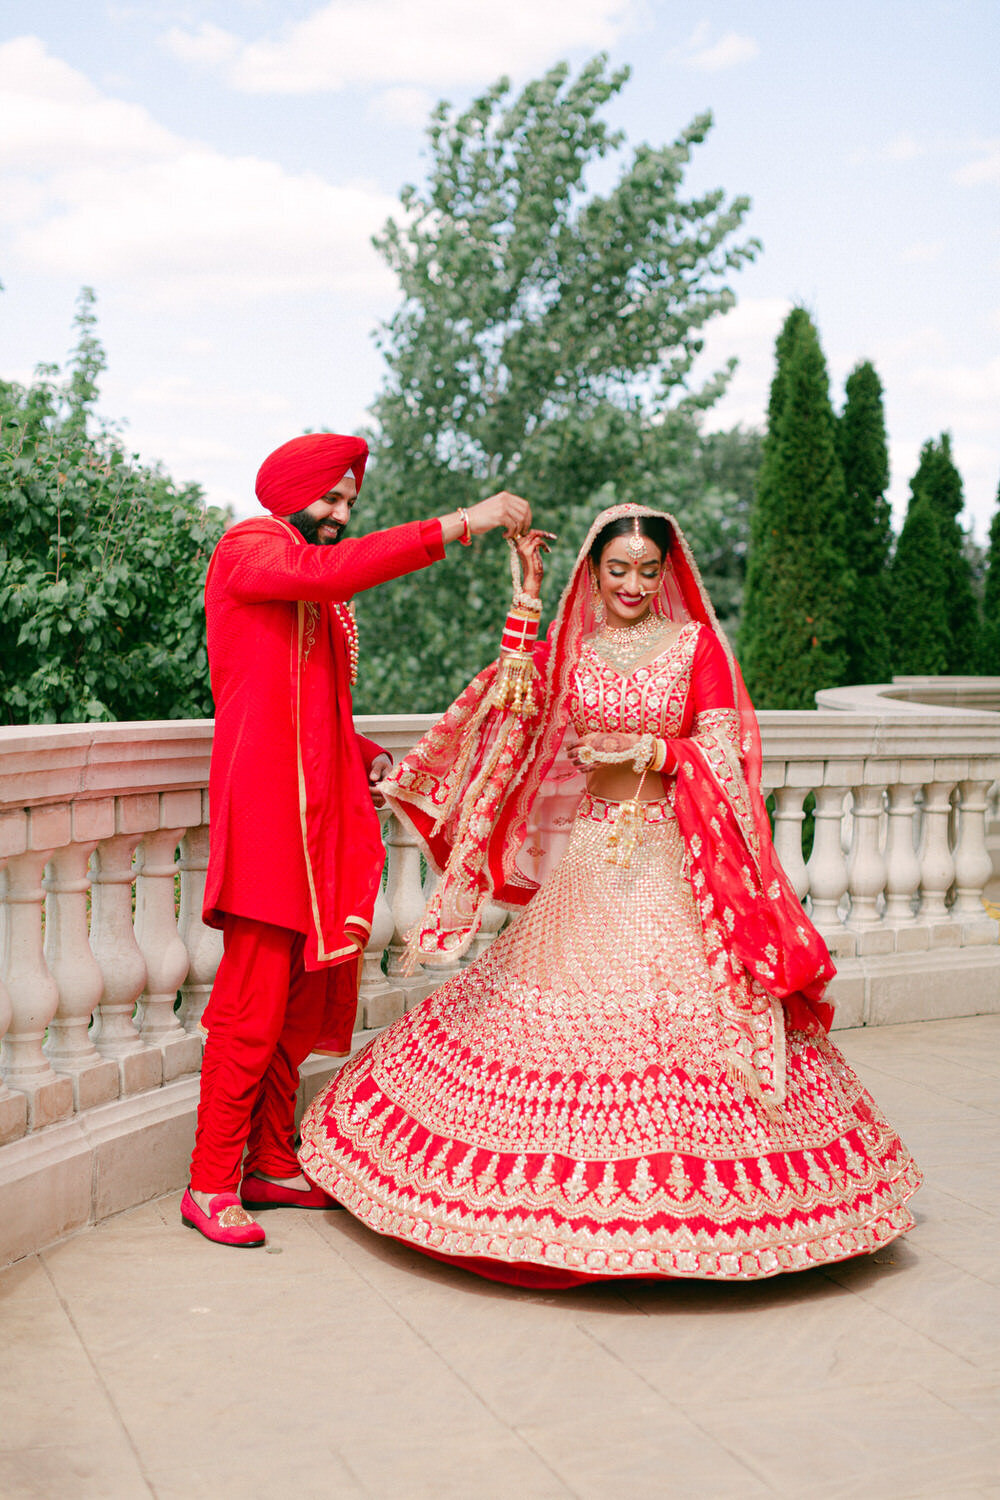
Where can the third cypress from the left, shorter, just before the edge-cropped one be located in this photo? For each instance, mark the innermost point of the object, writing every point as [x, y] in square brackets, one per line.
[935, 614]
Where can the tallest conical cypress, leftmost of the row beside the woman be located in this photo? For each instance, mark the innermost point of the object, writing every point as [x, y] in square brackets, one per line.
[798, 583]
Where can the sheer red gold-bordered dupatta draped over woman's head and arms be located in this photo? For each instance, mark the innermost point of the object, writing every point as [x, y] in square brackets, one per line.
[493, 799]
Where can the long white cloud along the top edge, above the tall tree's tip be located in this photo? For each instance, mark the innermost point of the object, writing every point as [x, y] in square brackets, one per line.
[418, 43]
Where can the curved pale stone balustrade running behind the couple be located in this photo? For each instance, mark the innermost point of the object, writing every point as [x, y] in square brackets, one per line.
[106, 965]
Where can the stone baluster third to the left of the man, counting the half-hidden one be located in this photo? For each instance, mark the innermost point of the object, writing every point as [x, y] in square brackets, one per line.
[122, 964]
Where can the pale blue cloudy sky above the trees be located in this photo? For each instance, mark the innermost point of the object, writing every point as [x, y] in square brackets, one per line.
[215, 172]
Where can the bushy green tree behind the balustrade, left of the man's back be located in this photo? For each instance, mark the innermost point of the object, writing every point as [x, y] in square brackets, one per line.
[103, 560]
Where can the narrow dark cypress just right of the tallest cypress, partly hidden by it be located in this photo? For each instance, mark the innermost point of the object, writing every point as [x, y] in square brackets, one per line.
[864, 455]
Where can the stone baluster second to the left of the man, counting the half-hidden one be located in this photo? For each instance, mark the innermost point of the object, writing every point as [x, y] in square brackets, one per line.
[163, 949]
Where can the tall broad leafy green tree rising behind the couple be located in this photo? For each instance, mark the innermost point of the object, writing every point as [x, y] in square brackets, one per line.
[545, 344]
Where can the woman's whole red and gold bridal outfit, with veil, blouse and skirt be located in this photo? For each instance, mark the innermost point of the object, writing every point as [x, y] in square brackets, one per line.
[635, 1079]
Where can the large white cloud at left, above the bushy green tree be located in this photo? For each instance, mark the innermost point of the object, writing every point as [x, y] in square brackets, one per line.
[97, 190]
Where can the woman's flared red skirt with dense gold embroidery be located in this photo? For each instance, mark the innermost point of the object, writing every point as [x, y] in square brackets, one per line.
[563, 1109]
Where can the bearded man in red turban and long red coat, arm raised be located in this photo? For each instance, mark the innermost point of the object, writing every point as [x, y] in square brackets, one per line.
[296, 847]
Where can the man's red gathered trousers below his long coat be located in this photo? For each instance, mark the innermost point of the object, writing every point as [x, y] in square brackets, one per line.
[265, 1018]
